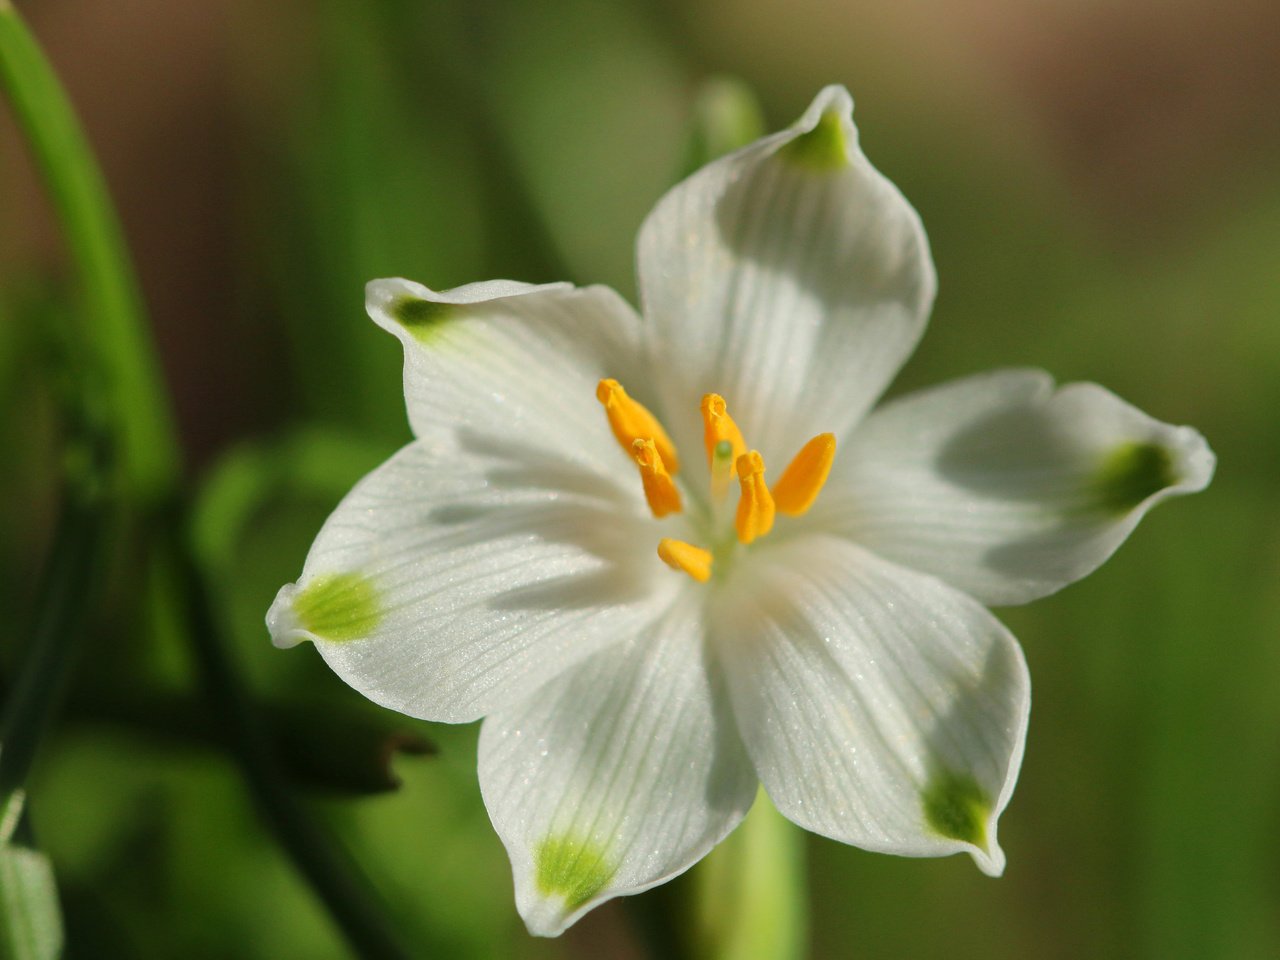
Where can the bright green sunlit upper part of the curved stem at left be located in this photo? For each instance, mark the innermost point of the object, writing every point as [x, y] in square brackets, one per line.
[115, 318]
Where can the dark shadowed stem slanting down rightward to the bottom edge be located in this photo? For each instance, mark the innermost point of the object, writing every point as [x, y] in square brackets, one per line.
[331, 871]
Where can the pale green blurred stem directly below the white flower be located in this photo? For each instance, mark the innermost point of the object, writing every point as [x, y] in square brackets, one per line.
[751, 892]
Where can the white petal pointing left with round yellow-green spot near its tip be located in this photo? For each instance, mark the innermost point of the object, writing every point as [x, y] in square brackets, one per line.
[461, 575]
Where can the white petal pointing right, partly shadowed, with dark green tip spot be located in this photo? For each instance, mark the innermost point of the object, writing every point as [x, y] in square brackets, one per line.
[1004, 487]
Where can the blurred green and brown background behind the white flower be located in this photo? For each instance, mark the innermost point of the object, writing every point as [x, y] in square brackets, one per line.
[1100, 185]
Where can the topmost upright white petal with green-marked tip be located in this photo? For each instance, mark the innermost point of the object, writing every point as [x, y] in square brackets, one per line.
[789, 277]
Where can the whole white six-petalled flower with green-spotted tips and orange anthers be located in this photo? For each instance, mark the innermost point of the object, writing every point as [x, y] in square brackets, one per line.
[822, 634]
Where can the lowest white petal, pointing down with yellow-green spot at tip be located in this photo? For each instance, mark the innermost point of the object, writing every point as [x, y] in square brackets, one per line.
[618, 776]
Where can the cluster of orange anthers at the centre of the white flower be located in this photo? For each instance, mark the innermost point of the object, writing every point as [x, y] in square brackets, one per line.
[643, 438]
